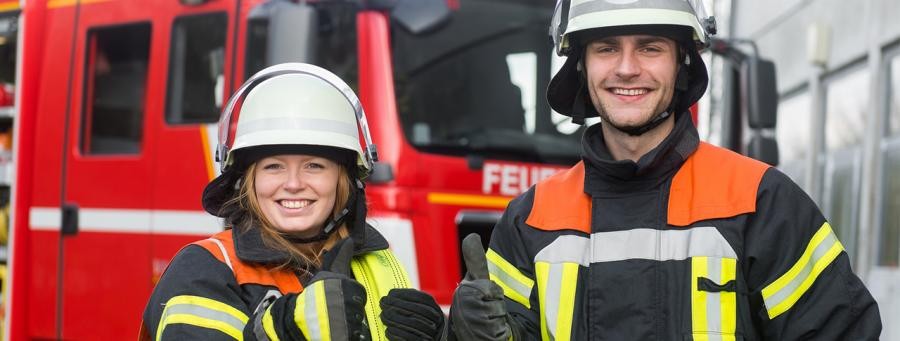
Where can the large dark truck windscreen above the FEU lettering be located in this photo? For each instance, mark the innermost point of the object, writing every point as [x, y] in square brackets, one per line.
[477, 85]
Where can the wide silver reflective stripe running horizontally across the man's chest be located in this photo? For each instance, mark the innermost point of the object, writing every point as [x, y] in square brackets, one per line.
[646, 244]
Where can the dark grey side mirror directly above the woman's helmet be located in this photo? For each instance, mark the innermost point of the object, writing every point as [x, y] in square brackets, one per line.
[291, 31]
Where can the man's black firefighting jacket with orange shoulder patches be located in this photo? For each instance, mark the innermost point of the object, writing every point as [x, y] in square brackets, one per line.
[692, 242]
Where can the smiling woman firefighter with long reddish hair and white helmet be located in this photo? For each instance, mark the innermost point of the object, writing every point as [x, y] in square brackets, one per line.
[296, 260]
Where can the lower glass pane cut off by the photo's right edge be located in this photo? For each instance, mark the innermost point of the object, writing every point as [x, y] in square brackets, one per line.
[889, 238]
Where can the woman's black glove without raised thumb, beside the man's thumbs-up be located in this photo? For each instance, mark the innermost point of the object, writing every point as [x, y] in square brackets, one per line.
[410, 314]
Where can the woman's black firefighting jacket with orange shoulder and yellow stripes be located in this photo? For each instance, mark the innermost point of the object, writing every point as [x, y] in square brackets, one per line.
[215, 289]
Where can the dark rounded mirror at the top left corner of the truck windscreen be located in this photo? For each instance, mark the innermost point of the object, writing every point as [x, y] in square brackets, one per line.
[420, 16]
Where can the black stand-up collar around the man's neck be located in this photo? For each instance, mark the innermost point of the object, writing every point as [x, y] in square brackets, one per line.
[605, 175]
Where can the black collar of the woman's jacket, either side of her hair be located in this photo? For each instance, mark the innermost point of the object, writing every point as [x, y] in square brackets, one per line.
[249, 246]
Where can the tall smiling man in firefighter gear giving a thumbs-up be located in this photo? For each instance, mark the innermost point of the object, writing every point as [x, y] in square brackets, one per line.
[655, 235]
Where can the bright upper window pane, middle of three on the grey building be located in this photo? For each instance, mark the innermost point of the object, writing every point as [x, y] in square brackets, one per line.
[846, 107]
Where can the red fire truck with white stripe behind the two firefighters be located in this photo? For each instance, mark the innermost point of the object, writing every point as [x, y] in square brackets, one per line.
[116, 104]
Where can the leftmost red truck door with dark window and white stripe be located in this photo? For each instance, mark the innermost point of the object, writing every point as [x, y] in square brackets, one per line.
[105, 246]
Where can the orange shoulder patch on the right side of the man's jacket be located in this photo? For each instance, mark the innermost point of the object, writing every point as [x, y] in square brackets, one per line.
[714, 183]
